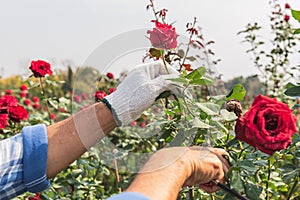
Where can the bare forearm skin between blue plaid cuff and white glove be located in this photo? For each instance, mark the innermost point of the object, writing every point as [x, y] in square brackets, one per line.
[70, 138]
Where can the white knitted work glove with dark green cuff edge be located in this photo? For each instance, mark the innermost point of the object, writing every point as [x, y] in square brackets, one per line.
[139, 90]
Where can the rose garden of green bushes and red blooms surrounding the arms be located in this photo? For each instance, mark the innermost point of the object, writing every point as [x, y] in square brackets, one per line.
[258, 127]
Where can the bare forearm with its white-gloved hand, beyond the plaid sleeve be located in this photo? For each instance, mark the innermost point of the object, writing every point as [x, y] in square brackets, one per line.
[69, 139]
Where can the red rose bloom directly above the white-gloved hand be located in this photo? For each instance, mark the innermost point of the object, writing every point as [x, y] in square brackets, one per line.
[163, 36]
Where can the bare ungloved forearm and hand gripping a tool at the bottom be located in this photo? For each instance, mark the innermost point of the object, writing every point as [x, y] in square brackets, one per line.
[169, 169]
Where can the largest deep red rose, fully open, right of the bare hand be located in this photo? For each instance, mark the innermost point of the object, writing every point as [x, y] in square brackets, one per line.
[268, 125]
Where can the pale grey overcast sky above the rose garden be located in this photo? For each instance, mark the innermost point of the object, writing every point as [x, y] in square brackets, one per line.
[68, 31]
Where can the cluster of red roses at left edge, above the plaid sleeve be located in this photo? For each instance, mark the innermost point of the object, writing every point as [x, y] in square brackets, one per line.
[10, 109]
